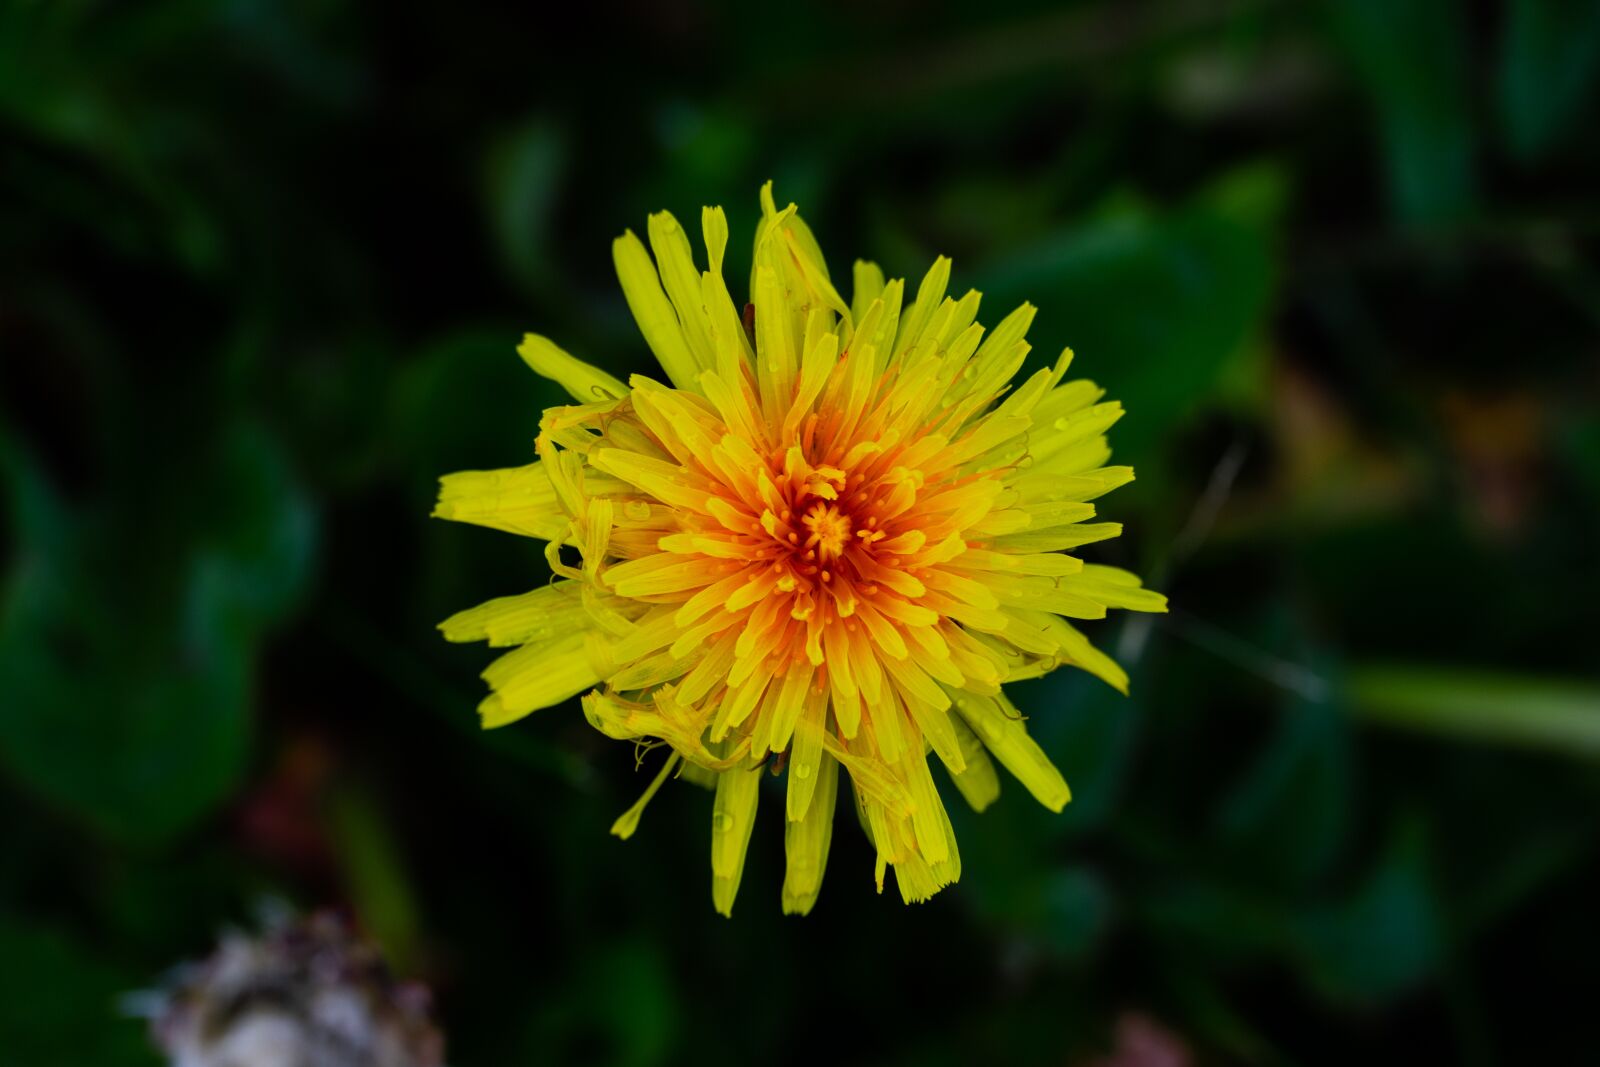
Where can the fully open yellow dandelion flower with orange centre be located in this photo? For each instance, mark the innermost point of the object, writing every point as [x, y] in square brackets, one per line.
[823, 543]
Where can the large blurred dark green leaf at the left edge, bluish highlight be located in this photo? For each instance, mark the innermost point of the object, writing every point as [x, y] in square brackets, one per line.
[129, 660]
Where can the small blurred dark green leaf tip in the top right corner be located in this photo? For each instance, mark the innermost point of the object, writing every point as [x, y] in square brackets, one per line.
[1548, 66]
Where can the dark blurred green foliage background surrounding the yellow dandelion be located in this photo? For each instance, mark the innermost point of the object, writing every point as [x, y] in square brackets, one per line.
[263, 268]
